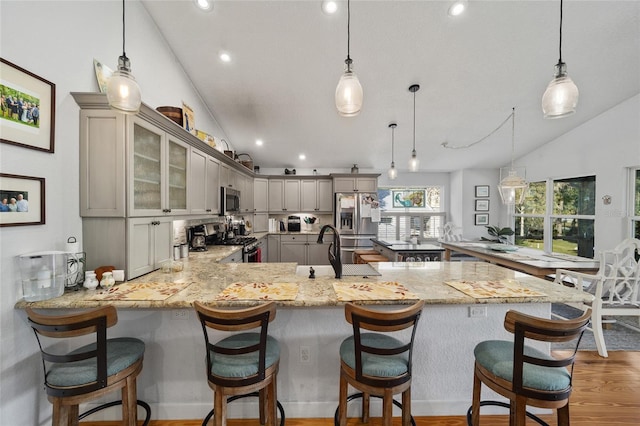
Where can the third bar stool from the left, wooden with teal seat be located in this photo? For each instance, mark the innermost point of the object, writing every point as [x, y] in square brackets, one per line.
[379, 363]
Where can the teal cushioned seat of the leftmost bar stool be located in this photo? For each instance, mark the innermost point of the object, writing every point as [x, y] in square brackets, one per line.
[122, 352]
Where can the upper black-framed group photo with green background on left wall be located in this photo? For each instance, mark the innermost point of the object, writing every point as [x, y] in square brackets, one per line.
[28, 102]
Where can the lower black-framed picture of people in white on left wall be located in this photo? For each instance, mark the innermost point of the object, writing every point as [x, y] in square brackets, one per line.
[21, 200]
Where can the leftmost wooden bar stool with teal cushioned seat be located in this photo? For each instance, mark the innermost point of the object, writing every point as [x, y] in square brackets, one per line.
[89, 371]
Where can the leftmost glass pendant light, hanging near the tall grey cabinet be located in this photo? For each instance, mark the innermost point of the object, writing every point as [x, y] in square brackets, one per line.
[123, 92]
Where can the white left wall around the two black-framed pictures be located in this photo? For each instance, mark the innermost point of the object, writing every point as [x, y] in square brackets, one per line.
[58, 41]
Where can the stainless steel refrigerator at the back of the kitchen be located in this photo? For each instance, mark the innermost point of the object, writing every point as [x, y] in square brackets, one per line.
[353, 219]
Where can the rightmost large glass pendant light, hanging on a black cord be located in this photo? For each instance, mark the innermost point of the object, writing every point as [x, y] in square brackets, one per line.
[561, 97]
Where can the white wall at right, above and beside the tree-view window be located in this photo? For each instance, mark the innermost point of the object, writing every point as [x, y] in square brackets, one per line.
[605, 147]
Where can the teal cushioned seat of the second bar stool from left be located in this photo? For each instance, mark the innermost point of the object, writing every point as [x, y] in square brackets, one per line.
[243, 365]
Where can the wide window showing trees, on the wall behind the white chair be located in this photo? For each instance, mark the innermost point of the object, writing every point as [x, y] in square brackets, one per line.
[558, 216]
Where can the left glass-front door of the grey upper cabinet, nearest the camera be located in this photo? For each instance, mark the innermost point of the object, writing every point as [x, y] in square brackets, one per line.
[146, 196]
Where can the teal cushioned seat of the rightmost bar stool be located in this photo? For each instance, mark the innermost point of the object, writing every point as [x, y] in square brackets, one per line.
[497, 357]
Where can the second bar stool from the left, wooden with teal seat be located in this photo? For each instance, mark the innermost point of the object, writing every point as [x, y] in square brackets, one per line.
[241, 364]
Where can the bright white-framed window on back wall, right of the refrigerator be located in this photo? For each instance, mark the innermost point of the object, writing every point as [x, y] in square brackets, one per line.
[411, 212]
